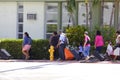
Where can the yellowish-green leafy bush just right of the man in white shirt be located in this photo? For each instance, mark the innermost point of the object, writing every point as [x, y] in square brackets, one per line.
[75, 34]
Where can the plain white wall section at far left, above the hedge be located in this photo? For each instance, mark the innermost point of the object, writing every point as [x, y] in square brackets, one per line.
[8, 16]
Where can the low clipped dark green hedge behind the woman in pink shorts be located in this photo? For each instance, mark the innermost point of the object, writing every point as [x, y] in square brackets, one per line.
[39, 48]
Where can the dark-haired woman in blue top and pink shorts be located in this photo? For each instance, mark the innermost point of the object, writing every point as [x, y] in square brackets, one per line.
[26, 45]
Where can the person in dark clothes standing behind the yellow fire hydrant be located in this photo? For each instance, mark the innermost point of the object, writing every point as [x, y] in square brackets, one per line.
[53, 42]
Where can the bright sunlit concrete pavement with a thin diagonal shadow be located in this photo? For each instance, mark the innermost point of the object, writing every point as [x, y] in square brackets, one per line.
[57, 70]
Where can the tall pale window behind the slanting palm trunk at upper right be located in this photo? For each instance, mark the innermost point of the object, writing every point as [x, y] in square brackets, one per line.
[107, 12]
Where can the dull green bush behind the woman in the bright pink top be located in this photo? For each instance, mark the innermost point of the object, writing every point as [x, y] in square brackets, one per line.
[107, 32]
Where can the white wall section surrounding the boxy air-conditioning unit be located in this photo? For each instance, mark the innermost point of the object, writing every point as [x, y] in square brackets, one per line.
[34, 27]
